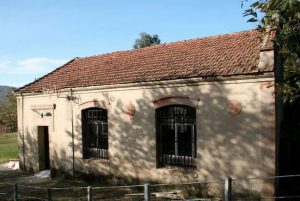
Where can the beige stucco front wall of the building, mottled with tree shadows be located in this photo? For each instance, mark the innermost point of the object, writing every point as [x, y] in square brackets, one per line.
[235, 145]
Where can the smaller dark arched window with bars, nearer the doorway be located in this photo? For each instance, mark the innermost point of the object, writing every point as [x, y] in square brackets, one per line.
[94, 133]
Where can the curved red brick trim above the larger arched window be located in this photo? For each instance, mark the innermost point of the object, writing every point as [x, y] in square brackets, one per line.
[180, 100]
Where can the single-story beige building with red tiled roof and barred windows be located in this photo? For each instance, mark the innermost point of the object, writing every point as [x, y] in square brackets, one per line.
[183, 111]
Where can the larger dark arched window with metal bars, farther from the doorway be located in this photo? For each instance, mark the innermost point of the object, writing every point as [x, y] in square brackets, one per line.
[176, 135]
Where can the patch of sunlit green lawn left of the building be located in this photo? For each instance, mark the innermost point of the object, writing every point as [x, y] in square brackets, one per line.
[8, 147]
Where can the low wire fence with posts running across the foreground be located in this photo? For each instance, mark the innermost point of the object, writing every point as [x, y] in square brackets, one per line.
[227, 189]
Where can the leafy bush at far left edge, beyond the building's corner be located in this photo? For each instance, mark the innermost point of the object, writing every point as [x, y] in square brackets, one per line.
[8, 111]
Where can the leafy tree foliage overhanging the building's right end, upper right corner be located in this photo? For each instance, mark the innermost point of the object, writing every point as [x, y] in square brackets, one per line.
[283, 17]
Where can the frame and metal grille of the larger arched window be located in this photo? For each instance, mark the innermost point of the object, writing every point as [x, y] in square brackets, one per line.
[189, 119]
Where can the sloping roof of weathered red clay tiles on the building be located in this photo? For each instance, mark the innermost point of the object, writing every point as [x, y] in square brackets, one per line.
[222, 55]
